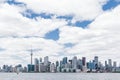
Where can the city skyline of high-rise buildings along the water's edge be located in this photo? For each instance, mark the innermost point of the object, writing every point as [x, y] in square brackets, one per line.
[75, 64]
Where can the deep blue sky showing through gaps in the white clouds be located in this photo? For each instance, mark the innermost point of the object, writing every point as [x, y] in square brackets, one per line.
[55, 33]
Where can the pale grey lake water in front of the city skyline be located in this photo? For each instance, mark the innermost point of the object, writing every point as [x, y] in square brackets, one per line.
[60, 76]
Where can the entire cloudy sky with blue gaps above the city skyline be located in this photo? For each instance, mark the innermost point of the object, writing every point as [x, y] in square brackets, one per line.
[59, 28]
